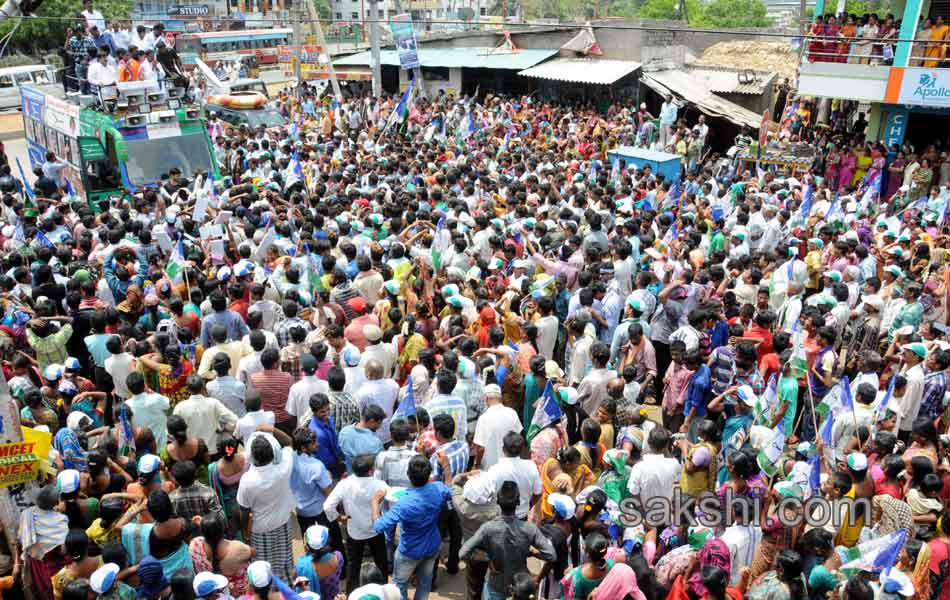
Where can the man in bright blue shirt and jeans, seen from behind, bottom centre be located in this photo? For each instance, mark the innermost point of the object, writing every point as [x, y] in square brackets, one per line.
[417, 514]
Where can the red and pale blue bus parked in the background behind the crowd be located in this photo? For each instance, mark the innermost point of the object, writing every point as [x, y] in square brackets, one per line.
[213, 46]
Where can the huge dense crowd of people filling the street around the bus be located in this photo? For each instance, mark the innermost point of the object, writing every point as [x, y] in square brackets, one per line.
[451, 335]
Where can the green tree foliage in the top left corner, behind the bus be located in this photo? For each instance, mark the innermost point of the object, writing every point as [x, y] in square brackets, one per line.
[38, 34]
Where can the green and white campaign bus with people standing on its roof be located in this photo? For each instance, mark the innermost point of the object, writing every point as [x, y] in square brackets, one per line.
[116, 148]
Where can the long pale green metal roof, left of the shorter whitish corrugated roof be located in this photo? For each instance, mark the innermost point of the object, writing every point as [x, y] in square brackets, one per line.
[470, 58]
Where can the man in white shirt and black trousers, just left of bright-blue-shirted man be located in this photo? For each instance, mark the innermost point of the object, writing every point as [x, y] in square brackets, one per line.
[356, 493]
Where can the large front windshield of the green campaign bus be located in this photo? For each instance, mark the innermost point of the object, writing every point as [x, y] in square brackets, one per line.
[149, 160]
